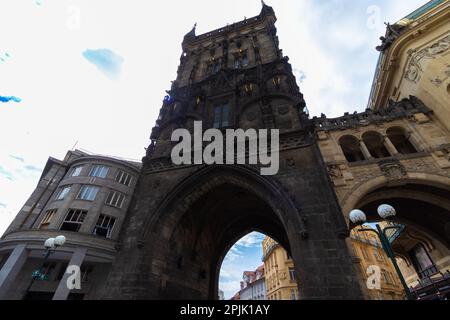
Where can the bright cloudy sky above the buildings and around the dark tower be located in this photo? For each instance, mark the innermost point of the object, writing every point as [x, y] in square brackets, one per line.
[93, 74]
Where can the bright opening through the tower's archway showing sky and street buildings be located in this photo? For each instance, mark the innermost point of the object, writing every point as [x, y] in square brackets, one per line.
[257, 267]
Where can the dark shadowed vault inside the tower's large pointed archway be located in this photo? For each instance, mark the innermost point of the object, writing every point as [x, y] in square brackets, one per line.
[209, 228]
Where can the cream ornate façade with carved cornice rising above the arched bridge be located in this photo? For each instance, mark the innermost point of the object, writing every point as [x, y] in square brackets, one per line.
[415, 60]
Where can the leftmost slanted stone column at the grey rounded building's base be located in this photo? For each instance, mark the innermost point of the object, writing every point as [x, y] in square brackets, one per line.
[11, 268]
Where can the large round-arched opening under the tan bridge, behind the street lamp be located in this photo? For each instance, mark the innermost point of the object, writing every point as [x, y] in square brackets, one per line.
[421, 243]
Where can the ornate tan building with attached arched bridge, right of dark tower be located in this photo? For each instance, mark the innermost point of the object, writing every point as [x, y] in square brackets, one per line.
[398, 150]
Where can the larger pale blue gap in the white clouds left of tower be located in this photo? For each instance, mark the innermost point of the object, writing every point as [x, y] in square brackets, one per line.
[106, 60]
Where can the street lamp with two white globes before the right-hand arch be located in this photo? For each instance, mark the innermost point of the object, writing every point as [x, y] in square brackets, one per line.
[386, 212]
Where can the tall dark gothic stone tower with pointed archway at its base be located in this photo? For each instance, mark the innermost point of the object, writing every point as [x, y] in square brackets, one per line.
[184, 219]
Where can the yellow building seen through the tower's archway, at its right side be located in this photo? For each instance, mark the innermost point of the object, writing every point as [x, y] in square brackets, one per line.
[281, 280]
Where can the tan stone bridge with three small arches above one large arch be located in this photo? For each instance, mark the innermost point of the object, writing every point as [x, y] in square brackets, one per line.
[402, 160]
